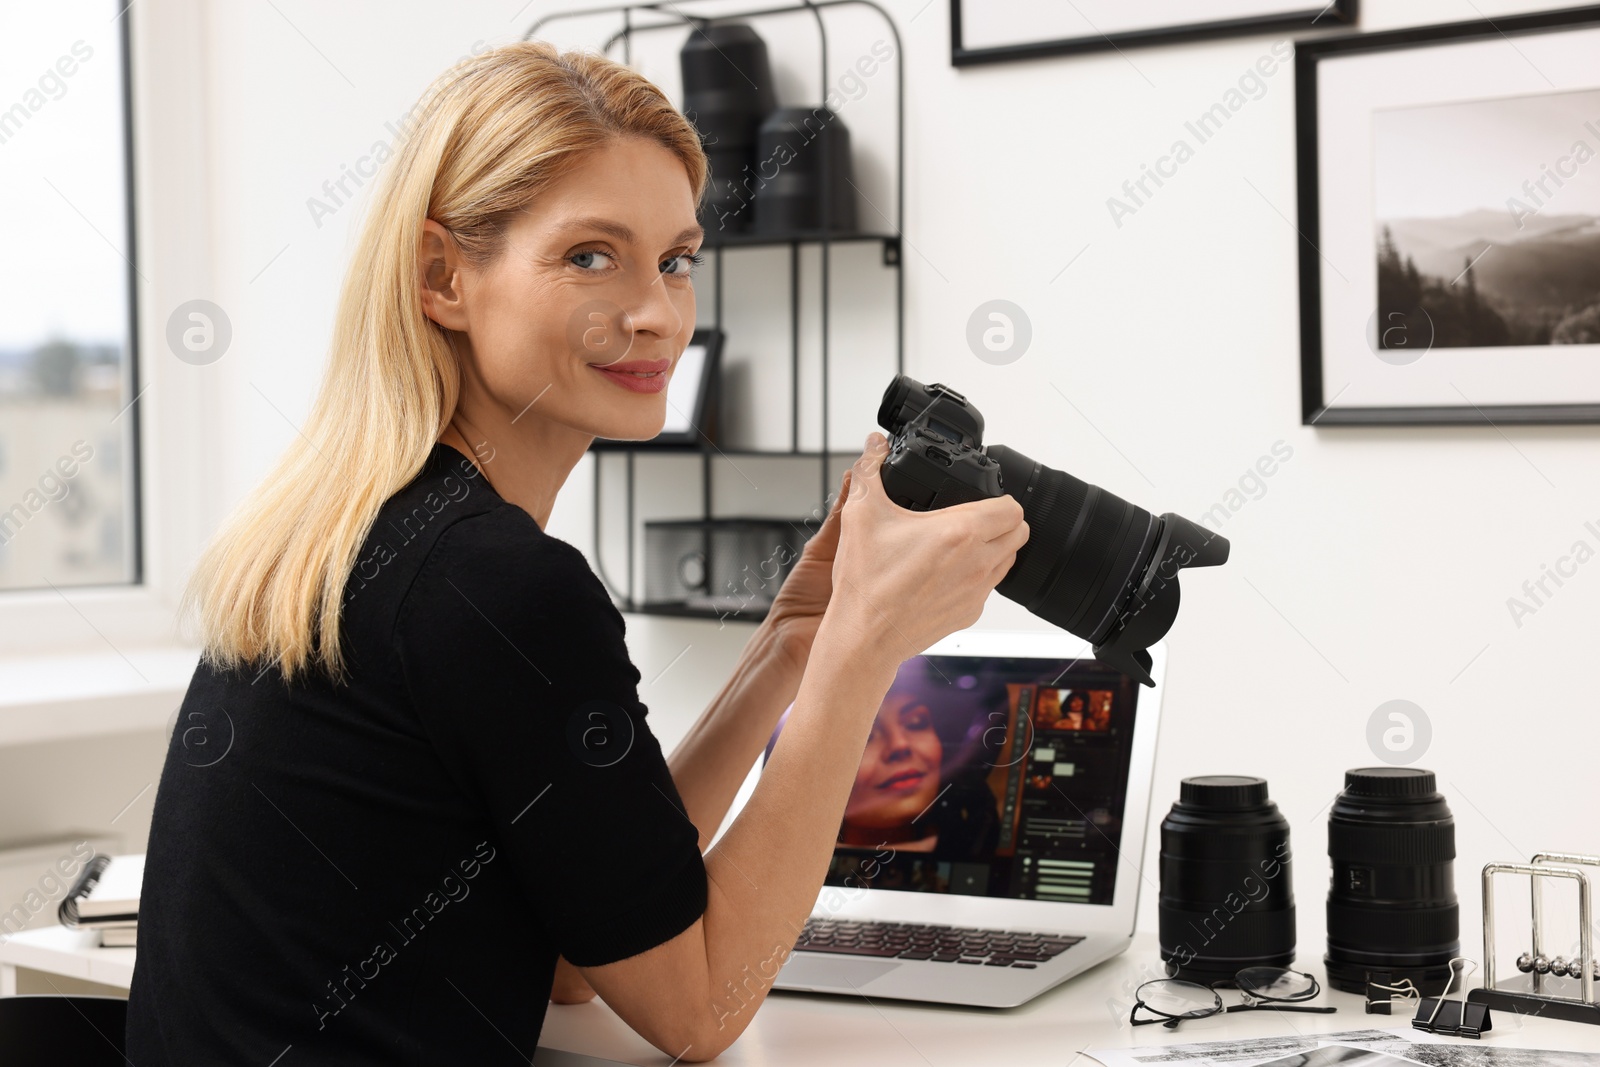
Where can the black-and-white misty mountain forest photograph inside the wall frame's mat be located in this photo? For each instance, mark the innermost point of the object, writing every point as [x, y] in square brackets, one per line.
[1489, 222]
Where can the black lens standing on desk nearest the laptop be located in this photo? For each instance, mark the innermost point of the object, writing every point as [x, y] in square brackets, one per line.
[1228, 900]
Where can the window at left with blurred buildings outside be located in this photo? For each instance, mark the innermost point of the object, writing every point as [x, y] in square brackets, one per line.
[68, 422]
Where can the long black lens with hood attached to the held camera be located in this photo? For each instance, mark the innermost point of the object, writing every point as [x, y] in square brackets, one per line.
[1097, 565]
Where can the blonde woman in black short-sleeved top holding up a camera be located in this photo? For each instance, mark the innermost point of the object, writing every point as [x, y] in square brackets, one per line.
[439, 801]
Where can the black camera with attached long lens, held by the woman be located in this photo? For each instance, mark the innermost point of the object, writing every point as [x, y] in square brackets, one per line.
[1095, 565]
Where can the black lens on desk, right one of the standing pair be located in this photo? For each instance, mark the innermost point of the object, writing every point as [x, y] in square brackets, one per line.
[1393, 901]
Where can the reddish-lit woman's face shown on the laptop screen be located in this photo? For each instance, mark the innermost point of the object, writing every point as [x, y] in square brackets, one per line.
[900, 770]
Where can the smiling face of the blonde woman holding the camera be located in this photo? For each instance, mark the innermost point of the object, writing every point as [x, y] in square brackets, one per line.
[585, 314]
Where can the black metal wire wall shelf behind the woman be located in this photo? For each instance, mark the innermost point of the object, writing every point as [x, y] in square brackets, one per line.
[676, 15]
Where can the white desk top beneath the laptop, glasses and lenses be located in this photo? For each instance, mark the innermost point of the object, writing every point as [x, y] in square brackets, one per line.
[844, 1031]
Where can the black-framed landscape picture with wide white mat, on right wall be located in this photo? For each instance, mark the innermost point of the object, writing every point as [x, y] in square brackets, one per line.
[1450, 223]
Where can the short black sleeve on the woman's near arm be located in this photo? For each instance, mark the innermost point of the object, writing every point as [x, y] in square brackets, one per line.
[518, 663]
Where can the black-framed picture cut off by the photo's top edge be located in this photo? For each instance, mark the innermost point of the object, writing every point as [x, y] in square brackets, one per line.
[996, 31]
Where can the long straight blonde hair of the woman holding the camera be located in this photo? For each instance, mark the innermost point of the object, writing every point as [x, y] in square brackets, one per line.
[486, 140]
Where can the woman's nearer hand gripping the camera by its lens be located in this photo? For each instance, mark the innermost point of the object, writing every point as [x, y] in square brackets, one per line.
[905, 580]
